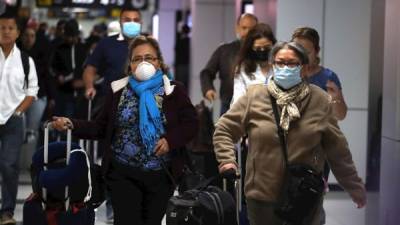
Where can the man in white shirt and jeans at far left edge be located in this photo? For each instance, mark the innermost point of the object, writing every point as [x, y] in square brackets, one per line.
[18, 91]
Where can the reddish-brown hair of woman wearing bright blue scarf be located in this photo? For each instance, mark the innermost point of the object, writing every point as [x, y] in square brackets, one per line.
[141, 40]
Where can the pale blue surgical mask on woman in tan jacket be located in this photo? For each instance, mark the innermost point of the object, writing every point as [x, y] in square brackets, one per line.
[287, 77]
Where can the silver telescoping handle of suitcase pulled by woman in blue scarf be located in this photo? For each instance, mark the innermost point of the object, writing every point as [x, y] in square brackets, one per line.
[48, 127]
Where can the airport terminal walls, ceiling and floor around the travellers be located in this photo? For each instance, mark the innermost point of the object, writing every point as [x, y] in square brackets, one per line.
[359, 40]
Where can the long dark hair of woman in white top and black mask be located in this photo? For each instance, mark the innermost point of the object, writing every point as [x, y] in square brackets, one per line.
[261, 30]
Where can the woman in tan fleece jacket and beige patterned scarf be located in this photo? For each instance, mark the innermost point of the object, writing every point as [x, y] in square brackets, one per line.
[311, 135]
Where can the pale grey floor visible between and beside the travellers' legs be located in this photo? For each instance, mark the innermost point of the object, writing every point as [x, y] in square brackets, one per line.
[339, 208]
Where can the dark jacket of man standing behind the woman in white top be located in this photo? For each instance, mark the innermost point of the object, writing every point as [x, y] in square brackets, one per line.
[222, 61]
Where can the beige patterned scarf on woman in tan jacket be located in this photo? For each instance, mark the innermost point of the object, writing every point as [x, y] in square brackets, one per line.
[287, 101]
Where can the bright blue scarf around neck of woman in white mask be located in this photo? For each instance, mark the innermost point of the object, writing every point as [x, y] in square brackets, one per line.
[150, 121]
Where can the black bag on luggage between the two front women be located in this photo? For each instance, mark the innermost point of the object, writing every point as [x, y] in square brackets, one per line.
[206, 205]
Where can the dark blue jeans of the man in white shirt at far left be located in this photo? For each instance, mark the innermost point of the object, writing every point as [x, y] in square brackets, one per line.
[11, 139]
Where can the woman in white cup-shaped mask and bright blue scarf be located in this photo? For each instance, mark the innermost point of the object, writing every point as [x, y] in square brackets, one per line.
[146, 120]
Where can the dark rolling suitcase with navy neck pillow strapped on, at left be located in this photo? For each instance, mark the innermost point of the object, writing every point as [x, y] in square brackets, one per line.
[61, 182]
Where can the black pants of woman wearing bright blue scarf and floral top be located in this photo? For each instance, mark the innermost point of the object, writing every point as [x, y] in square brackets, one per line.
[138, 197]
